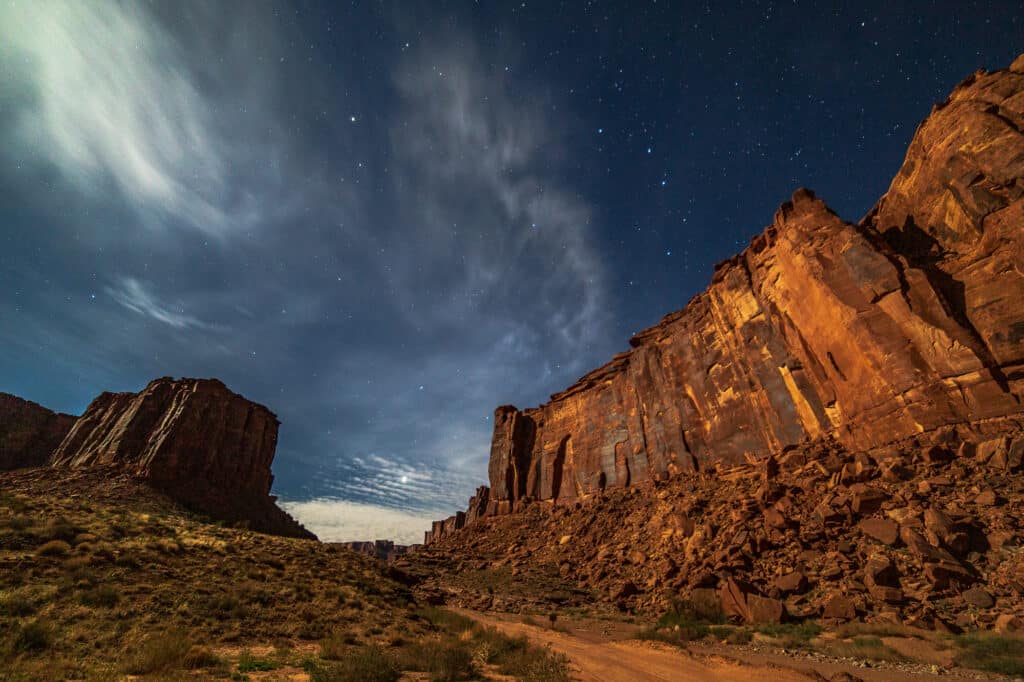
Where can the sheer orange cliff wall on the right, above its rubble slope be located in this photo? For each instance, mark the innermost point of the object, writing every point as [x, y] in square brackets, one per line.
[865, 334]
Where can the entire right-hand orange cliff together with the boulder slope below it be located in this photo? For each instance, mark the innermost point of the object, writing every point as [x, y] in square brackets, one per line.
[833, 430]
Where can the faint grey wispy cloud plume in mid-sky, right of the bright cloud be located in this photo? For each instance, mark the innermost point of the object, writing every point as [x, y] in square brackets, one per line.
[481, 178]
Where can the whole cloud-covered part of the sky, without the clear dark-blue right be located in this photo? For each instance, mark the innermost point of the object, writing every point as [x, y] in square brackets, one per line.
[380, 258]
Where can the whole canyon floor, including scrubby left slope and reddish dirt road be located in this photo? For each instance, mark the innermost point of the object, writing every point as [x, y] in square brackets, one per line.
[103, 579]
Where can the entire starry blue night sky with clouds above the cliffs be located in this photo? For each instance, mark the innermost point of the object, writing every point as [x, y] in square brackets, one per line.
[382, 221]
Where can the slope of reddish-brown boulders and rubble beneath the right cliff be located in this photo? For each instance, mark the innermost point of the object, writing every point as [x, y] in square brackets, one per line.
[921, 535]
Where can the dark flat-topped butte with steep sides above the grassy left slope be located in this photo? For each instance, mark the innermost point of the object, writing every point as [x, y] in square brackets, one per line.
[193, 439]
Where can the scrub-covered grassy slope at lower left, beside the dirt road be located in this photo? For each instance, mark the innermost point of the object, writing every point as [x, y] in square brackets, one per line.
[102, 578]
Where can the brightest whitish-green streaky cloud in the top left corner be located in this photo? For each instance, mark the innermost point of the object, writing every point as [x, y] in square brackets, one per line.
[113, 100]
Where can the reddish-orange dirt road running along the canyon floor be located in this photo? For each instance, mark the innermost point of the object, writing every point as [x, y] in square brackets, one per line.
[615, 658]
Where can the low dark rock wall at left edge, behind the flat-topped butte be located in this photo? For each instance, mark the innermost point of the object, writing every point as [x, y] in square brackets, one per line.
[29, 433]
